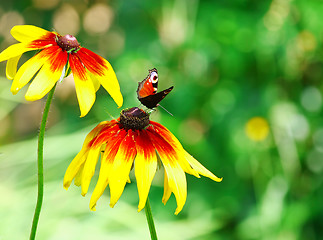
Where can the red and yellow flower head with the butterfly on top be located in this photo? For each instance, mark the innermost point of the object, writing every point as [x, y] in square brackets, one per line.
[131, 140]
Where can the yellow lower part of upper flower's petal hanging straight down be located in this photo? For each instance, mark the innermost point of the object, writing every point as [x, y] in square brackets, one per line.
[85, 93]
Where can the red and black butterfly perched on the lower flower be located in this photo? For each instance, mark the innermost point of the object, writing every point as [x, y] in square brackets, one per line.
[147, 90]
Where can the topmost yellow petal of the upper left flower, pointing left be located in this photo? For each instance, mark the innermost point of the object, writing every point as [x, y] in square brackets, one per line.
[27, 33]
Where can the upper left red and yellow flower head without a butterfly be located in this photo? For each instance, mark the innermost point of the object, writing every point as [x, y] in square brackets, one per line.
[48, 66]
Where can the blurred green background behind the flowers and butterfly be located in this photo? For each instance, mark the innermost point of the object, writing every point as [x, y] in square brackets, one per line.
[229, 61]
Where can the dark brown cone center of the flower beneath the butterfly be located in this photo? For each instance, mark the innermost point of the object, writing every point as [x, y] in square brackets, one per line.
[134, 118]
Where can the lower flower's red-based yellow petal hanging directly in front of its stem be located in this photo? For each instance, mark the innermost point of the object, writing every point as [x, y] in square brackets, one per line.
[145, 167]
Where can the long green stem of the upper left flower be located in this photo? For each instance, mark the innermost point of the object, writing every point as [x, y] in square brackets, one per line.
[40, 164]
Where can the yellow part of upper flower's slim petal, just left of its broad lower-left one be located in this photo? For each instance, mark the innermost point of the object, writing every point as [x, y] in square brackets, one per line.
[26, 72]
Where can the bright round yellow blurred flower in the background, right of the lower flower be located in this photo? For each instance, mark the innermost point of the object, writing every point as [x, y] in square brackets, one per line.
[257, 129]
